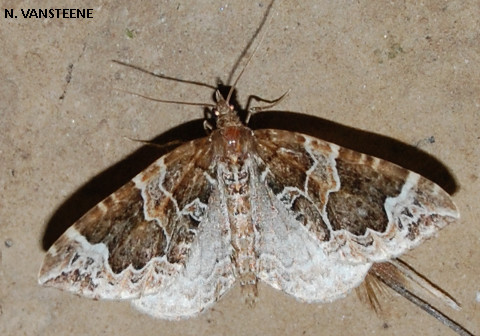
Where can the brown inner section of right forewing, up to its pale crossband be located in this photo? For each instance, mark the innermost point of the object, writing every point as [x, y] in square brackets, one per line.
[289, 168]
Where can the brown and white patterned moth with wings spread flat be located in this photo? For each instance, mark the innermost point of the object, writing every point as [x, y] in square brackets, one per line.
[307, 217]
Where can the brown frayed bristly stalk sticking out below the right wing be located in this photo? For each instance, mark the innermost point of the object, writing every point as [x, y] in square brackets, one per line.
[399, 279]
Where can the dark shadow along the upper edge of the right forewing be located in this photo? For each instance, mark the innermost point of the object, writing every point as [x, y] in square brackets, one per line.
[381, 146]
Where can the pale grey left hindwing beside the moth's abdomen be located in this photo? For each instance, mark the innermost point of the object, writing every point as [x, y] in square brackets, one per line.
[207, 275]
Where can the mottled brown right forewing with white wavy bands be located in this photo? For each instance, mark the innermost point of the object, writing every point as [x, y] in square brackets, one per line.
[359, 208]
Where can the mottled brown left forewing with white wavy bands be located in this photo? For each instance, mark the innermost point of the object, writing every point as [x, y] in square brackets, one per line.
[135, 239]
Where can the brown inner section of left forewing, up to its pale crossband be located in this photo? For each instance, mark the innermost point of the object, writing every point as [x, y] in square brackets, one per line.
[177, 196]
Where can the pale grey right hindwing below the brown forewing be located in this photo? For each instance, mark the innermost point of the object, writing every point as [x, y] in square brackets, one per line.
[294, 261]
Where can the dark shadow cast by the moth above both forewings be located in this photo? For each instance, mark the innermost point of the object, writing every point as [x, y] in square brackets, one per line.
[108, 181]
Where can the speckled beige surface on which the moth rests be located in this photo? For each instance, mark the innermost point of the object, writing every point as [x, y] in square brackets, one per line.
[386, 78]
